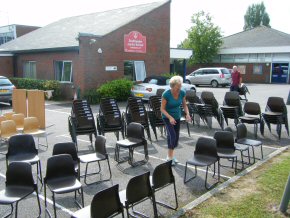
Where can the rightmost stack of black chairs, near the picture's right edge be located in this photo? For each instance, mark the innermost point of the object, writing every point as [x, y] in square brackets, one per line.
[276, 113]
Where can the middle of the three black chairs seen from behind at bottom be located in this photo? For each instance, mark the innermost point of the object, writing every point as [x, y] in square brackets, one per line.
[138, 190]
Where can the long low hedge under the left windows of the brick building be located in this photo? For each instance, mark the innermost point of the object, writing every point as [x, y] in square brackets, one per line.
[26, 83]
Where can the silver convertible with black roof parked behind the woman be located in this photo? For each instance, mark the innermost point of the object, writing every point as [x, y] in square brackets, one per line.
[151, 84]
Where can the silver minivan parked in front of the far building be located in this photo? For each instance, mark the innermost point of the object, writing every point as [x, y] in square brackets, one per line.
[210, 76]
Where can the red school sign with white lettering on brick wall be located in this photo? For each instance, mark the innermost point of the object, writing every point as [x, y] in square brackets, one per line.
[135, 42]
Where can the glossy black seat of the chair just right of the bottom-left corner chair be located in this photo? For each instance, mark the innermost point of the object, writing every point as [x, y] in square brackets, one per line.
[64, 185]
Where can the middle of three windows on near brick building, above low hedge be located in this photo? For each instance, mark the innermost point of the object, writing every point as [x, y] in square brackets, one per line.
[63, 71]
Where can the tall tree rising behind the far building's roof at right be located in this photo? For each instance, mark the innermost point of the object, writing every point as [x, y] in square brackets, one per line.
[256, 15]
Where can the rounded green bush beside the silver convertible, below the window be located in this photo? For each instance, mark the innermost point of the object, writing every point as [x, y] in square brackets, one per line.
[119, 89]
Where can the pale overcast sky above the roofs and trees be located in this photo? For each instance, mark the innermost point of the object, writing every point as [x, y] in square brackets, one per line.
[227, 14]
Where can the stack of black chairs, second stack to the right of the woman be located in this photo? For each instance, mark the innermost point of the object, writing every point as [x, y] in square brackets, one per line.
[210, 108]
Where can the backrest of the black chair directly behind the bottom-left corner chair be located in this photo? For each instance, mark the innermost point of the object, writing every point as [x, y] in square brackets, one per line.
[21, 144]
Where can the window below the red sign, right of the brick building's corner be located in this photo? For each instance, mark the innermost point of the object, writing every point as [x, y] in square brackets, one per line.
[134, 70]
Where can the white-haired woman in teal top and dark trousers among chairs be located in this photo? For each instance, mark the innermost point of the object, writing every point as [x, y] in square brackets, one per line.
[171, 113]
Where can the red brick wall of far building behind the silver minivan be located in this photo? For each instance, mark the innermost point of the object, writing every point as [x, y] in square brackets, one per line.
[248, 77]
